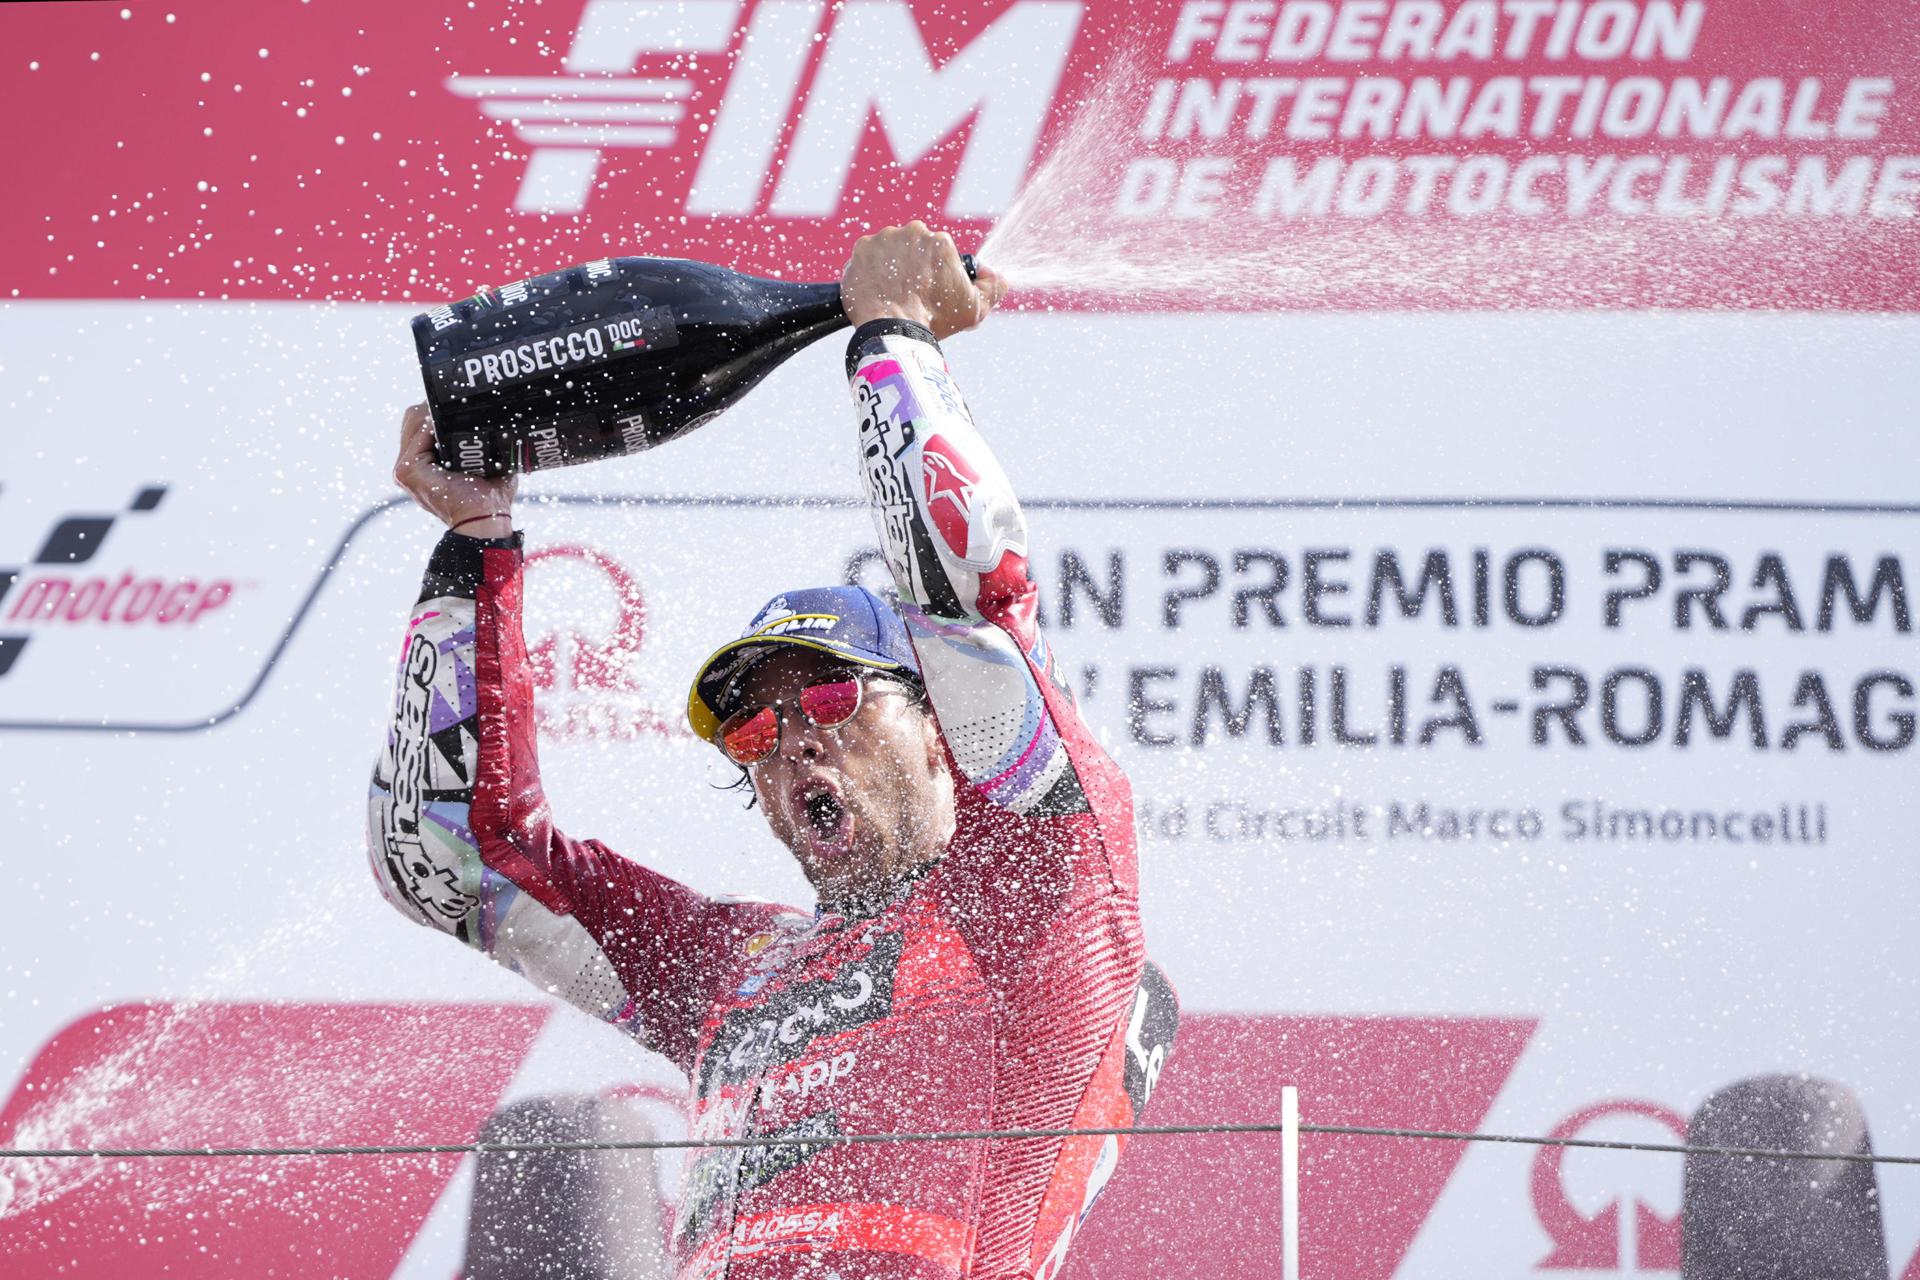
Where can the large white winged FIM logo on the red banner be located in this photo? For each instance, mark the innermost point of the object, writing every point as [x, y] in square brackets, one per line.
[865, 62]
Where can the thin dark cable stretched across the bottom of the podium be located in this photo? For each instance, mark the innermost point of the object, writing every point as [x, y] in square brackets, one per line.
[959, 1135]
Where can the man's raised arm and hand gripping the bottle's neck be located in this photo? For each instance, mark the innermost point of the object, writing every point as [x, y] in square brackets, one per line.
[957, 540]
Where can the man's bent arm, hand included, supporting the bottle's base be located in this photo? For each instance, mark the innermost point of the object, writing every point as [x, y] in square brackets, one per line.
[458, 826]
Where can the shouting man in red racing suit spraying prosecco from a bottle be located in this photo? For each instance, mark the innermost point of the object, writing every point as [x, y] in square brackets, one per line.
[997, 984]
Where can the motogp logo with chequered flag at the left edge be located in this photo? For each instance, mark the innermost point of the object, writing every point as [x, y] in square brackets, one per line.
[51, 596]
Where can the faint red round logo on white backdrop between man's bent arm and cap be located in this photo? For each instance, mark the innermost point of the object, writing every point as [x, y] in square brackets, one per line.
[585, 680]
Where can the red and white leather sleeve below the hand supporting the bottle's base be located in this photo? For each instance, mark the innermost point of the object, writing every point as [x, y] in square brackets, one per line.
[602, 932]
